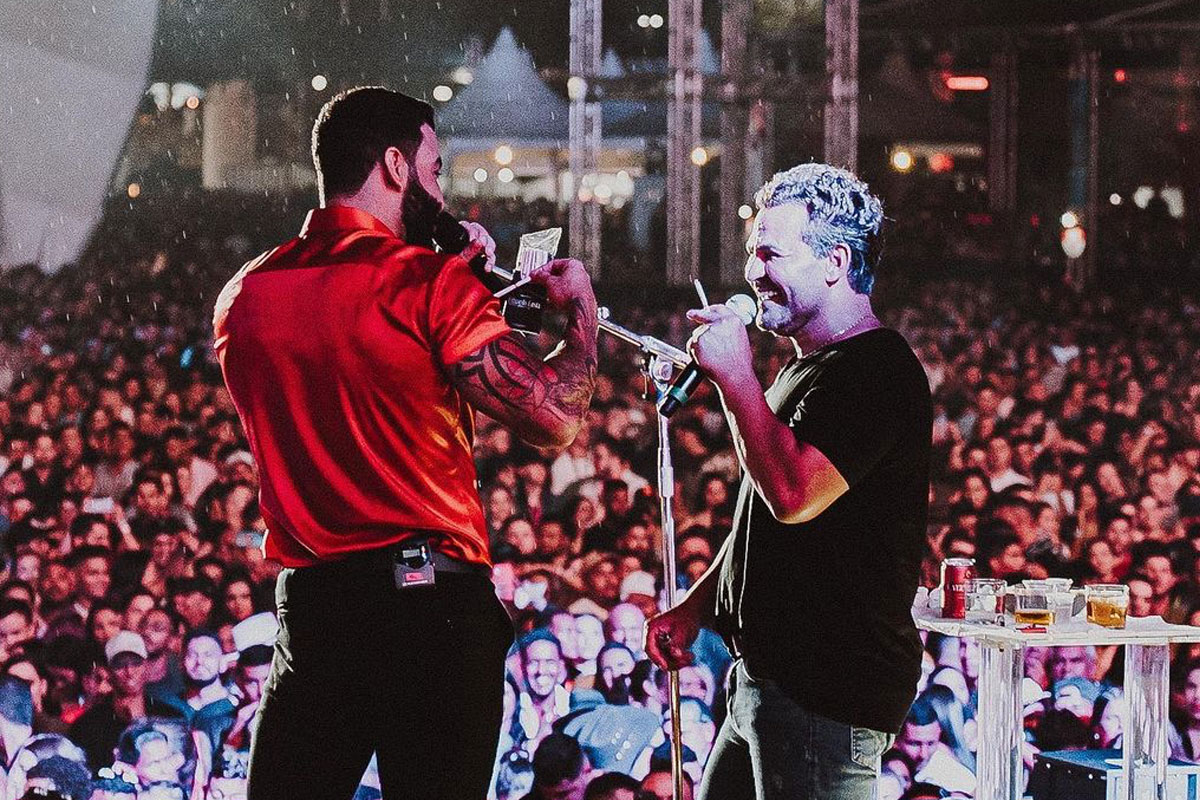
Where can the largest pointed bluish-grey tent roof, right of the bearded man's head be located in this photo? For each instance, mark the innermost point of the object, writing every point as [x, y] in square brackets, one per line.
[508, 99]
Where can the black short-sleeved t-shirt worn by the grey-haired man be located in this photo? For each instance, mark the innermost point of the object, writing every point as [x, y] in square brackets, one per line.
[824, 607]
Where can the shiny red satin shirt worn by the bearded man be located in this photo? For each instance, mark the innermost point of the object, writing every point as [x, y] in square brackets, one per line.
[334, 347]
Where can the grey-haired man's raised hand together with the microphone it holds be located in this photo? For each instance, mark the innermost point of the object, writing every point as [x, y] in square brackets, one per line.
[721, 351]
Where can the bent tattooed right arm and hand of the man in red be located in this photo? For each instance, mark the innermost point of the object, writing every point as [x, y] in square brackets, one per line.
[543, 402]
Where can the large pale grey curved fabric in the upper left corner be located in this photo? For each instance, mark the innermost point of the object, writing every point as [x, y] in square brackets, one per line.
[75, 73]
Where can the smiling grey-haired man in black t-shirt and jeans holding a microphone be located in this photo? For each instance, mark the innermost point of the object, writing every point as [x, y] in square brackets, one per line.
[814, 586]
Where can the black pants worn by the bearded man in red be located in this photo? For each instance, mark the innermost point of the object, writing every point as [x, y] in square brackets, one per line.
[362, 667]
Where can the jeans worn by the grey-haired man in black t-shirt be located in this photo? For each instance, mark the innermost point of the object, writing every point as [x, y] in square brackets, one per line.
[771, 749]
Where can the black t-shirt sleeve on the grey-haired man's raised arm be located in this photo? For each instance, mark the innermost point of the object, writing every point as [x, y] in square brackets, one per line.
[853, 417]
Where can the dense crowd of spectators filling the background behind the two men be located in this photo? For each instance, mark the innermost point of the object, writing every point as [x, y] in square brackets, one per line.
[136, 609]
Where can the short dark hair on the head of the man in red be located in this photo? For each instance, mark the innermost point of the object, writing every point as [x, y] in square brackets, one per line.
[356, 129]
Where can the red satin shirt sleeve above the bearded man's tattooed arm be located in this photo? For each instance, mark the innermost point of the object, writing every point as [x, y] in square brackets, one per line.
[464, 315]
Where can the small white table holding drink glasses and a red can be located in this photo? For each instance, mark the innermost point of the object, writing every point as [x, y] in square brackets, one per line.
[1000, 719]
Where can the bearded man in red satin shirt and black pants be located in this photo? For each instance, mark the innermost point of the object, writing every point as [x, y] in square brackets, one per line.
[356, 357]
